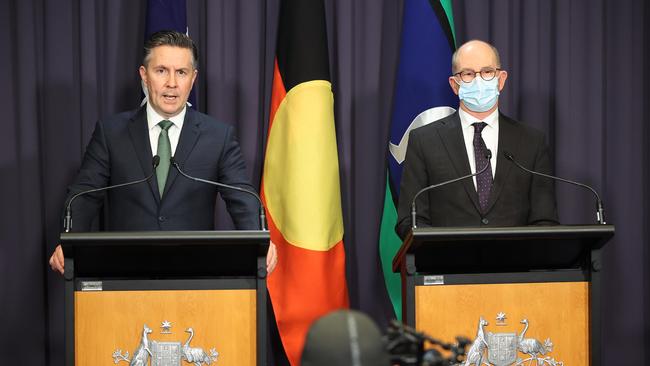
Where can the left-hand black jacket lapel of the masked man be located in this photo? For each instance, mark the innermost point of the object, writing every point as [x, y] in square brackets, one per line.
[452, 138]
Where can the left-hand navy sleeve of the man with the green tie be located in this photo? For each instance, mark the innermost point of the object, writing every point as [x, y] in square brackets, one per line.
[94, 173]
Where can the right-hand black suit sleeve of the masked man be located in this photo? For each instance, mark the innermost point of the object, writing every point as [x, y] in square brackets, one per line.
[543, 209]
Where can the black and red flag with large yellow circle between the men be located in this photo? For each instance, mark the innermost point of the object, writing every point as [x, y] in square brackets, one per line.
[300, 182]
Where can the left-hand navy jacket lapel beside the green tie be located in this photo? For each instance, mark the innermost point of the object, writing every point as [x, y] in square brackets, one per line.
[139, 134]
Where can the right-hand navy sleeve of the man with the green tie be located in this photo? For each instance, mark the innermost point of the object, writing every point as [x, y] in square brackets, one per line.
[243, 208]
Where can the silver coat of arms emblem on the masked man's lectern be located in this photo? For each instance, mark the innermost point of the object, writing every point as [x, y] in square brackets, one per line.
[503, 349]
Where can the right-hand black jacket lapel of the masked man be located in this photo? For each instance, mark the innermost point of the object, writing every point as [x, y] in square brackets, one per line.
[509, 135]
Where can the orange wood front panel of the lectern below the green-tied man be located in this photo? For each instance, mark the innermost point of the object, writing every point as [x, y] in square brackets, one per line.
[215, 324]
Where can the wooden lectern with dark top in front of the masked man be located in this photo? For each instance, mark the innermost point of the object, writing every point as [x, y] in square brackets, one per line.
[537, 287]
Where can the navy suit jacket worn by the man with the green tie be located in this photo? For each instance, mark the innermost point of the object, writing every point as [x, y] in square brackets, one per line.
[120, 151]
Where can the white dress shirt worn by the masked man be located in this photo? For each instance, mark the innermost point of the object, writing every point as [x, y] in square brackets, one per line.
[490, 135]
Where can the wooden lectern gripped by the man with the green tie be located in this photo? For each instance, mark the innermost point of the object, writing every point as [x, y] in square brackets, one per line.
[165, 297]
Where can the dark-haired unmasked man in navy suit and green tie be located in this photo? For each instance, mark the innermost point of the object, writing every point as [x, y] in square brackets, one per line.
[122, 149]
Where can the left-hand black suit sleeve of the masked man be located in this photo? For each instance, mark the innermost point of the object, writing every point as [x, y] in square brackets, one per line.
[414, 178]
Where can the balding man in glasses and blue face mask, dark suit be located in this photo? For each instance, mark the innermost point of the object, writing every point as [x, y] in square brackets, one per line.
[457, 145]
